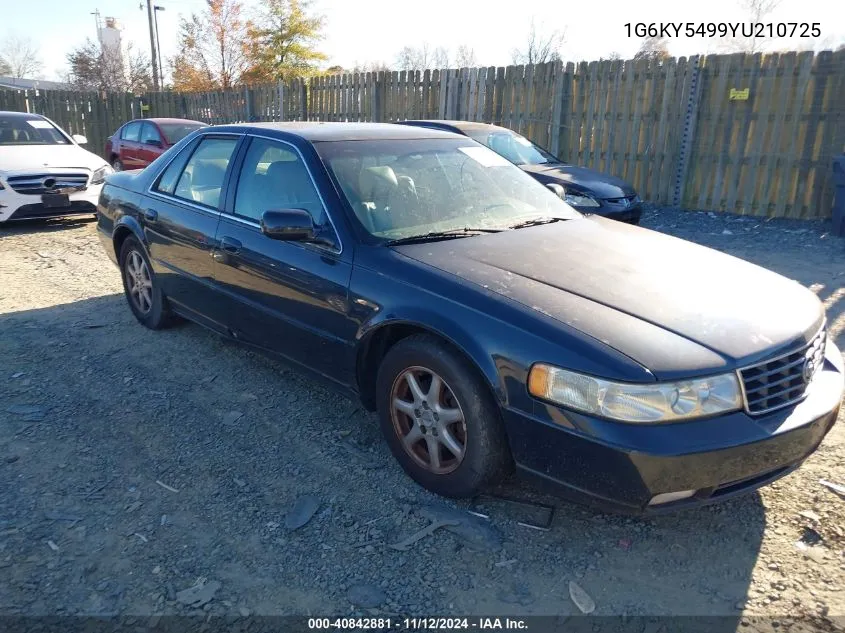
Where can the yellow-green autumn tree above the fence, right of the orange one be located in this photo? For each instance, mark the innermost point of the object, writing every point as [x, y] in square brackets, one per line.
[283, 41]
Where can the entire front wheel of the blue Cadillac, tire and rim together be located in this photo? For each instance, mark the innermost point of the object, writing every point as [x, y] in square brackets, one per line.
[439, 418]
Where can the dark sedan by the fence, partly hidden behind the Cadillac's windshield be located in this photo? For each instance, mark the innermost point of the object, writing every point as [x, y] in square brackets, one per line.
[587, 190]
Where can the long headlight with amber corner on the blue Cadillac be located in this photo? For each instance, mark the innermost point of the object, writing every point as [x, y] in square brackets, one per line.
[636, 402]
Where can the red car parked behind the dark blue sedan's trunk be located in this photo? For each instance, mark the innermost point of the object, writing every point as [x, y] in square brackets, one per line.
[138, 143]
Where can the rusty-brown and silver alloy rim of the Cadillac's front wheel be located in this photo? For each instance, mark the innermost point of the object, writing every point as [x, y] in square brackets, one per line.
[428, 420]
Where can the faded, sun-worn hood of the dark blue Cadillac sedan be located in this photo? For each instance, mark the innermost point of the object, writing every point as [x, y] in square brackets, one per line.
[628, 287]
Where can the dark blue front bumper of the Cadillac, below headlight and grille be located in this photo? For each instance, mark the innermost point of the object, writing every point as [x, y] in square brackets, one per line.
[623, 467]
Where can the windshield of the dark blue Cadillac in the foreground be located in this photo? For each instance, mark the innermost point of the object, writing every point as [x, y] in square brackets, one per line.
[405, 188]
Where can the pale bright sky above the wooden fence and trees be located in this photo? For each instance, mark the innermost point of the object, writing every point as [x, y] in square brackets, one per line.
[360, 31]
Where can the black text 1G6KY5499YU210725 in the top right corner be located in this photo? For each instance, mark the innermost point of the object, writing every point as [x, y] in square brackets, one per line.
[723, 29]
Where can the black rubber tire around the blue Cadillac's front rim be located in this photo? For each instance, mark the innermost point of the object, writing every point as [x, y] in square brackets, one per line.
[486, 457]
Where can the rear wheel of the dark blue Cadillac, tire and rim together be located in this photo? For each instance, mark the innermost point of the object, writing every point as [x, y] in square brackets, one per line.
[145, 298]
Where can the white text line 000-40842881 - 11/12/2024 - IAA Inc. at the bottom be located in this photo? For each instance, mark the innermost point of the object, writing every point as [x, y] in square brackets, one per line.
[417, 624]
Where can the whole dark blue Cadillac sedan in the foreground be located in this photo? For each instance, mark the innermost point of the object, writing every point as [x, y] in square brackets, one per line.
[491, 325]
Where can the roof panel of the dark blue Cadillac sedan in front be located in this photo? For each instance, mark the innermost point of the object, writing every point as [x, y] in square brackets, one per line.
[315, 131]
